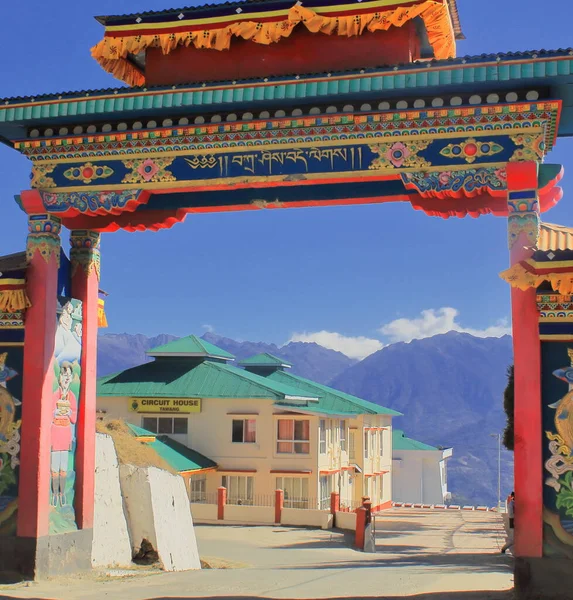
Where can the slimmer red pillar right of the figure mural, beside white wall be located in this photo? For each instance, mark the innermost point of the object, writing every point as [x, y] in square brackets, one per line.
[85, 259]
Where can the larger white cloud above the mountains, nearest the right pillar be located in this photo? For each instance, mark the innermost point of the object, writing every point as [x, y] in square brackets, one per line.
[433, 322]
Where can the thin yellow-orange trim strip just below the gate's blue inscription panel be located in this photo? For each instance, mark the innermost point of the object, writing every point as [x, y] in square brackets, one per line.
[260, 179]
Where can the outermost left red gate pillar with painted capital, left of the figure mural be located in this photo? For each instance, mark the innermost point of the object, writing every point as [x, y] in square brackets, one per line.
[43, 256]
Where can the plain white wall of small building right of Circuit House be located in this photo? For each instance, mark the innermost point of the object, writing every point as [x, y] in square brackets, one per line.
[418, 476]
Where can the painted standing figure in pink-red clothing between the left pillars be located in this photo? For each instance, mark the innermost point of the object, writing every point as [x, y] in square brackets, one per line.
[65, 413]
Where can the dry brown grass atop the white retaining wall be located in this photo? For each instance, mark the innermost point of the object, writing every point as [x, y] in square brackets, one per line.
[131, 451]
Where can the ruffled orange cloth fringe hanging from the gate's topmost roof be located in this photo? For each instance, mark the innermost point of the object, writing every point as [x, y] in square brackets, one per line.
[112, 52]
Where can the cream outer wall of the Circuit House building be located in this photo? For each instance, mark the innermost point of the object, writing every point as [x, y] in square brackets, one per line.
[210, 433]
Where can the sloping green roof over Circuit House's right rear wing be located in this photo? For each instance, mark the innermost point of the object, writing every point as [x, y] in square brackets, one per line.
[331, 400]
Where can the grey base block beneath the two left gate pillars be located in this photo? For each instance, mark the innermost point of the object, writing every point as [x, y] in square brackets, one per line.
[48, 556]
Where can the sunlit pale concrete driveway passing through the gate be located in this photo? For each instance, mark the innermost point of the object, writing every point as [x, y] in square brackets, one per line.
[446, 555]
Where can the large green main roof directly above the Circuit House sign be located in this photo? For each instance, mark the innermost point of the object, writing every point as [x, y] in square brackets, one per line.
[180, 378]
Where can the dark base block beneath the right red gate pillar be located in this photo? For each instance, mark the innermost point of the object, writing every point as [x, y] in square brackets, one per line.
[547, 578]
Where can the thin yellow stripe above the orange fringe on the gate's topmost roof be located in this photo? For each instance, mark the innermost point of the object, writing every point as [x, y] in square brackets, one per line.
[250, 17]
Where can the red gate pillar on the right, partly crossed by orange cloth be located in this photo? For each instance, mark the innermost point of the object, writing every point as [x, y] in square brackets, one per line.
[523, 233]
